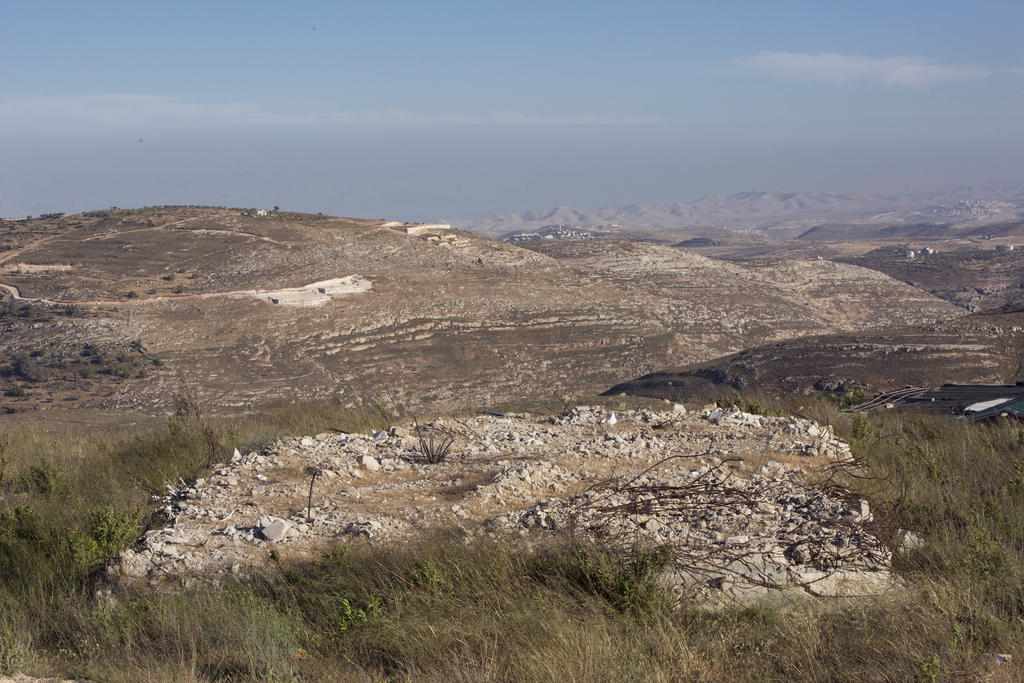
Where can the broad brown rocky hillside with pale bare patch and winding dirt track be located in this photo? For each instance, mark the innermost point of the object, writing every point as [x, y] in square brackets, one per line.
[255, 310]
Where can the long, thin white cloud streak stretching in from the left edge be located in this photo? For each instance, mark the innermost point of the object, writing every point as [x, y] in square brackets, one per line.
[120, 112]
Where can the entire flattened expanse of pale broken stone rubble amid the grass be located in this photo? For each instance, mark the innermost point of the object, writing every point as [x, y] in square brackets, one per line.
[739, 499]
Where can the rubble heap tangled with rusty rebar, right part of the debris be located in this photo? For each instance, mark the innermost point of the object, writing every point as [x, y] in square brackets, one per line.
[743, 536]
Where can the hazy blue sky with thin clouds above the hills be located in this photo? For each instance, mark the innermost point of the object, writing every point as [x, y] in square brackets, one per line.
[445, 110]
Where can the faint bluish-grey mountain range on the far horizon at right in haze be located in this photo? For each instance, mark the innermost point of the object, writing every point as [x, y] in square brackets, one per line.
[775, 215]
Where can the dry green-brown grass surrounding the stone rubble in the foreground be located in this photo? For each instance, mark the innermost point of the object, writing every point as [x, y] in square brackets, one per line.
[440, 609]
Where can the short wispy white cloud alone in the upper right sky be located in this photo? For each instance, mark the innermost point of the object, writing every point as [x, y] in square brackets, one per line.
[834, 68]
